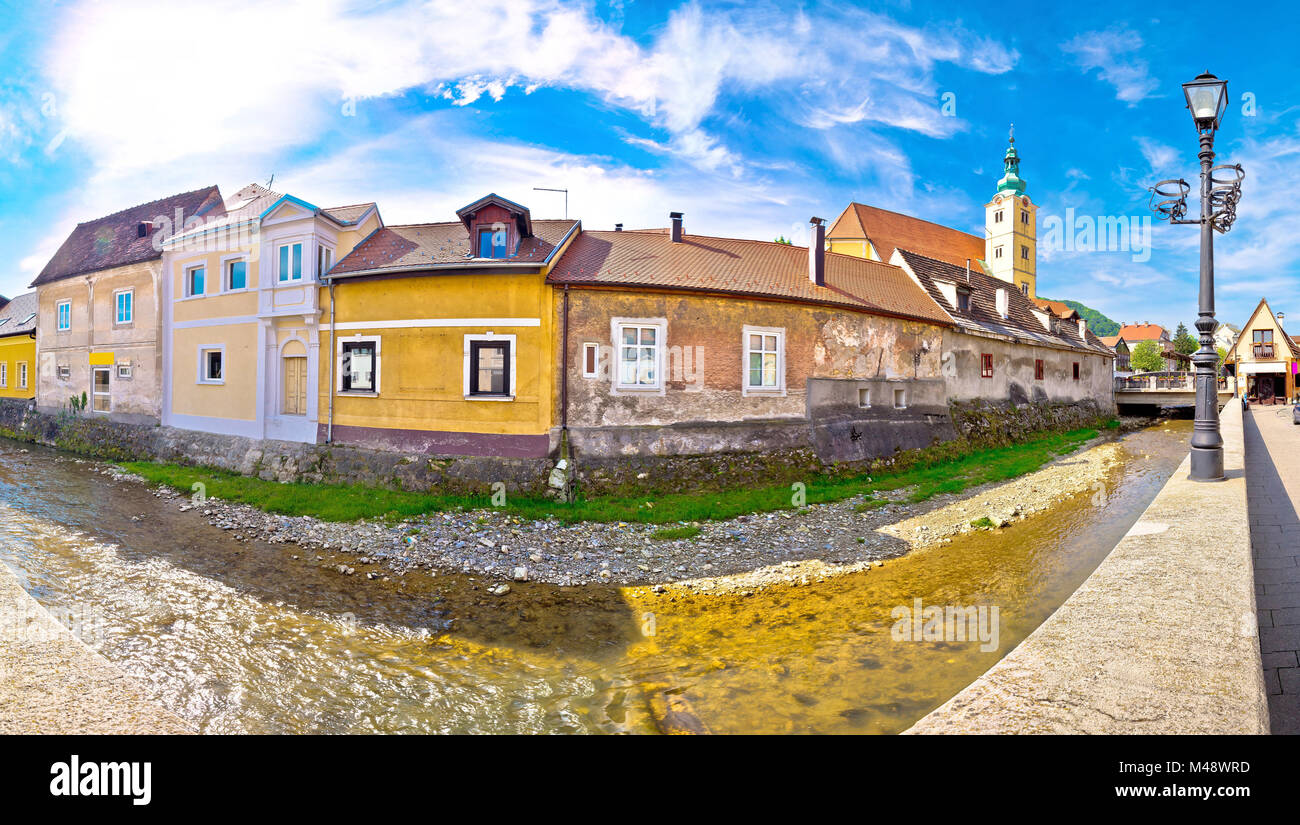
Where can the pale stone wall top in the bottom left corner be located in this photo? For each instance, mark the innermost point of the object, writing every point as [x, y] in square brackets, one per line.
[54, 684]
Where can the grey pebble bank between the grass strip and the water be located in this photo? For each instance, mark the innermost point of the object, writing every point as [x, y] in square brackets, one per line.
[736, 555]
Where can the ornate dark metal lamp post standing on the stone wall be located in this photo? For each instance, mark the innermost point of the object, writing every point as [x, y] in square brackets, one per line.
[1221, 190]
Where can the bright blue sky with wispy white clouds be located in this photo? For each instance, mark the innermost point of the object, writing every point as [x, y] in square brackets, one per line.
[749, 118]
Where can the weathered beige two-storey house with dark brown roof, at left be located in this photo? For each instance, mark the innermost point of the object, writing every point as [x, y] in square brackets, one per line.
[98, 320]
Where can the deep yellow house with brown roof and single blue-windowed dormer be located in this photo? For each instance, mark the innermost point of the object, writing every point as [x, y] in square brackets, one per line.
[444, 336]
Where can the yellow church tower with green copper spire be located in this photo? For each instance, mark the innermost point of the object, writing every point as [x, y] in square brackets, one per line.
[1011, 222]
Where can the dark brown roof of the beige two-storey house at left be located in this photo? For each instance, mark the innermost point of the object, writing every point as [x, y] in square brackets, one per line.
[112, 241]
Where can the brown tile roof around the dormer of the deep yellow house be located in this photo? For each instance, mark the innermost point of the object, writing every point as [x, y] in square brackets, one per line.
[428, 245]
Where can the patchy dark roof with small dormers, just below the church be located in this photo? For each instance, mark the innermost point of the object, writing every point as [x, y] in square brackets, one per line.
[983, 316]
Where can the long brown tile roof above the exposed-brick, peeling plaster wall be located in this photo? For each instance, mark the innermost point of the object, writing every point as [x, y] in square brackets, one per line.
[733, 266]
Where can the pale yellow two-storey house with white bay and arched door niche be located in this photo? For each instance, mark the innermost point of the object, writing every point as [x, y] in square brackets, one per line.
[242, 314]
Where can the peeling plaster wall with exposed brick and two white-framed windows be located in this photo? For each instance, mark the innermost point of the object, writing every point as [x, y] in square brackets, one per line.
[704, 406]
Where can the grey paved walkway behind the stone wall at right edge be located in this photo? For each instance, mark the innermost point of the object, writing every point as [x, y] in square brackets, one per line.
[1273, 485]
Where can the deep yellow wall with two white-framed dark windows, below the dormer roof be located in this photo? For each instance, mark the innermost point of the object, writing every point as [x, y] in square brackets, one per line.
[422, 370]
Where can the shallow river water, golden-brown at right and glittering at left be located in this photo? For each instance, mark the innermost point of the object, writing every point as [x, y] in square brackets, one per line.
[240, 637]
